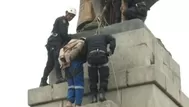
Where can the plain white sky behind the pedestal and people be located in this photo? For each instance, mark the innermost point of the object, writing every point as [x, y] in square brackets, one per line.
[25, 26]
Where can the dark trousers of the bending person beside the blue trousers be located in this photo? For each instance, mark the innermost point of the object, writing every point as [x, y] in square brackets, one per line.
[98, 64]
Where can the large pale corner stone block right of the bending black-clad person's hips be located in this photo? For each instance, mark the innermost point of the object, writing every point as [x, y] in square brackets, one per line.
[131, 57]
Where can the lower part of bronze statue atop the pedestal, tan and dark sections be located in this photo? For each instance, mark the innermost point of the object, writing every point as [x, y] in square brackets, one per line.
[93, 11]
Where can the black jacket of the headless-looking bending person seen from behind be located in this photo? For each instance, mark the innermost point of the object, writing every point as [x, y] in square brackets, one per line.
[100, 42]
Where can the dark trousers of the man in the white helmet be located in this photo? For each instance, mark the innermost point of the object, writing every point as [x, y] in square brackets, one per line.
[52, 62]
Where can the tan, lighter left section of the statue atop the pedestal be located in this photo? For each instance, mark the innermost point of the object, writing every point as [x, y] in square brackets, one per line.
[89, 10]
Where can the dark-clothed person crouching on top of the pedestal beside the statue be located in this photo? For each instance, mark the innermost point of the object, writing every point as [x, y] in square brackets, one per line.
[133, 9]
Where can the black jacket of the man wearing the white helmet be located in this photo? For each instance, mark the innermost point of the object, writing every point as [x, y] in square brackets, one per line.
[59, 35]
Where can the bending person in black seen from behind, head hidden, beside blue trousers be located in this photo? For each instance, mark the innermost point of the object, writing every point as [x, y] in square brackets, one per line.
[97, 59]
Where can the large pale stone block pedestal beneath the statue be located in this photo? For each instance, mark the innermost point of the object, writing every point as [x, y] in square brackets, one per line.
[145, 72]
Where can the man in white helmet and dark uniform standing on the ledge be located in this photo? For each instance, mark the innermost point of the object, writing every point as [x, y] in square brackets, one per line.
[58, 39]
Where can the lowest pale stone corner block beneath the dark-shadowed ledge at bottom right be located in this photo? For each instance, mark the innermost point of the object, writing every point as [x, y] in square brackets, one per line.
[145, 96]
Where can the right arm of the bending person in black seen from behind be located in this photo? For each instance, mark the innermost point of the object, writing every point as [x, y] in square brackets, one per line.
[112, 41]
